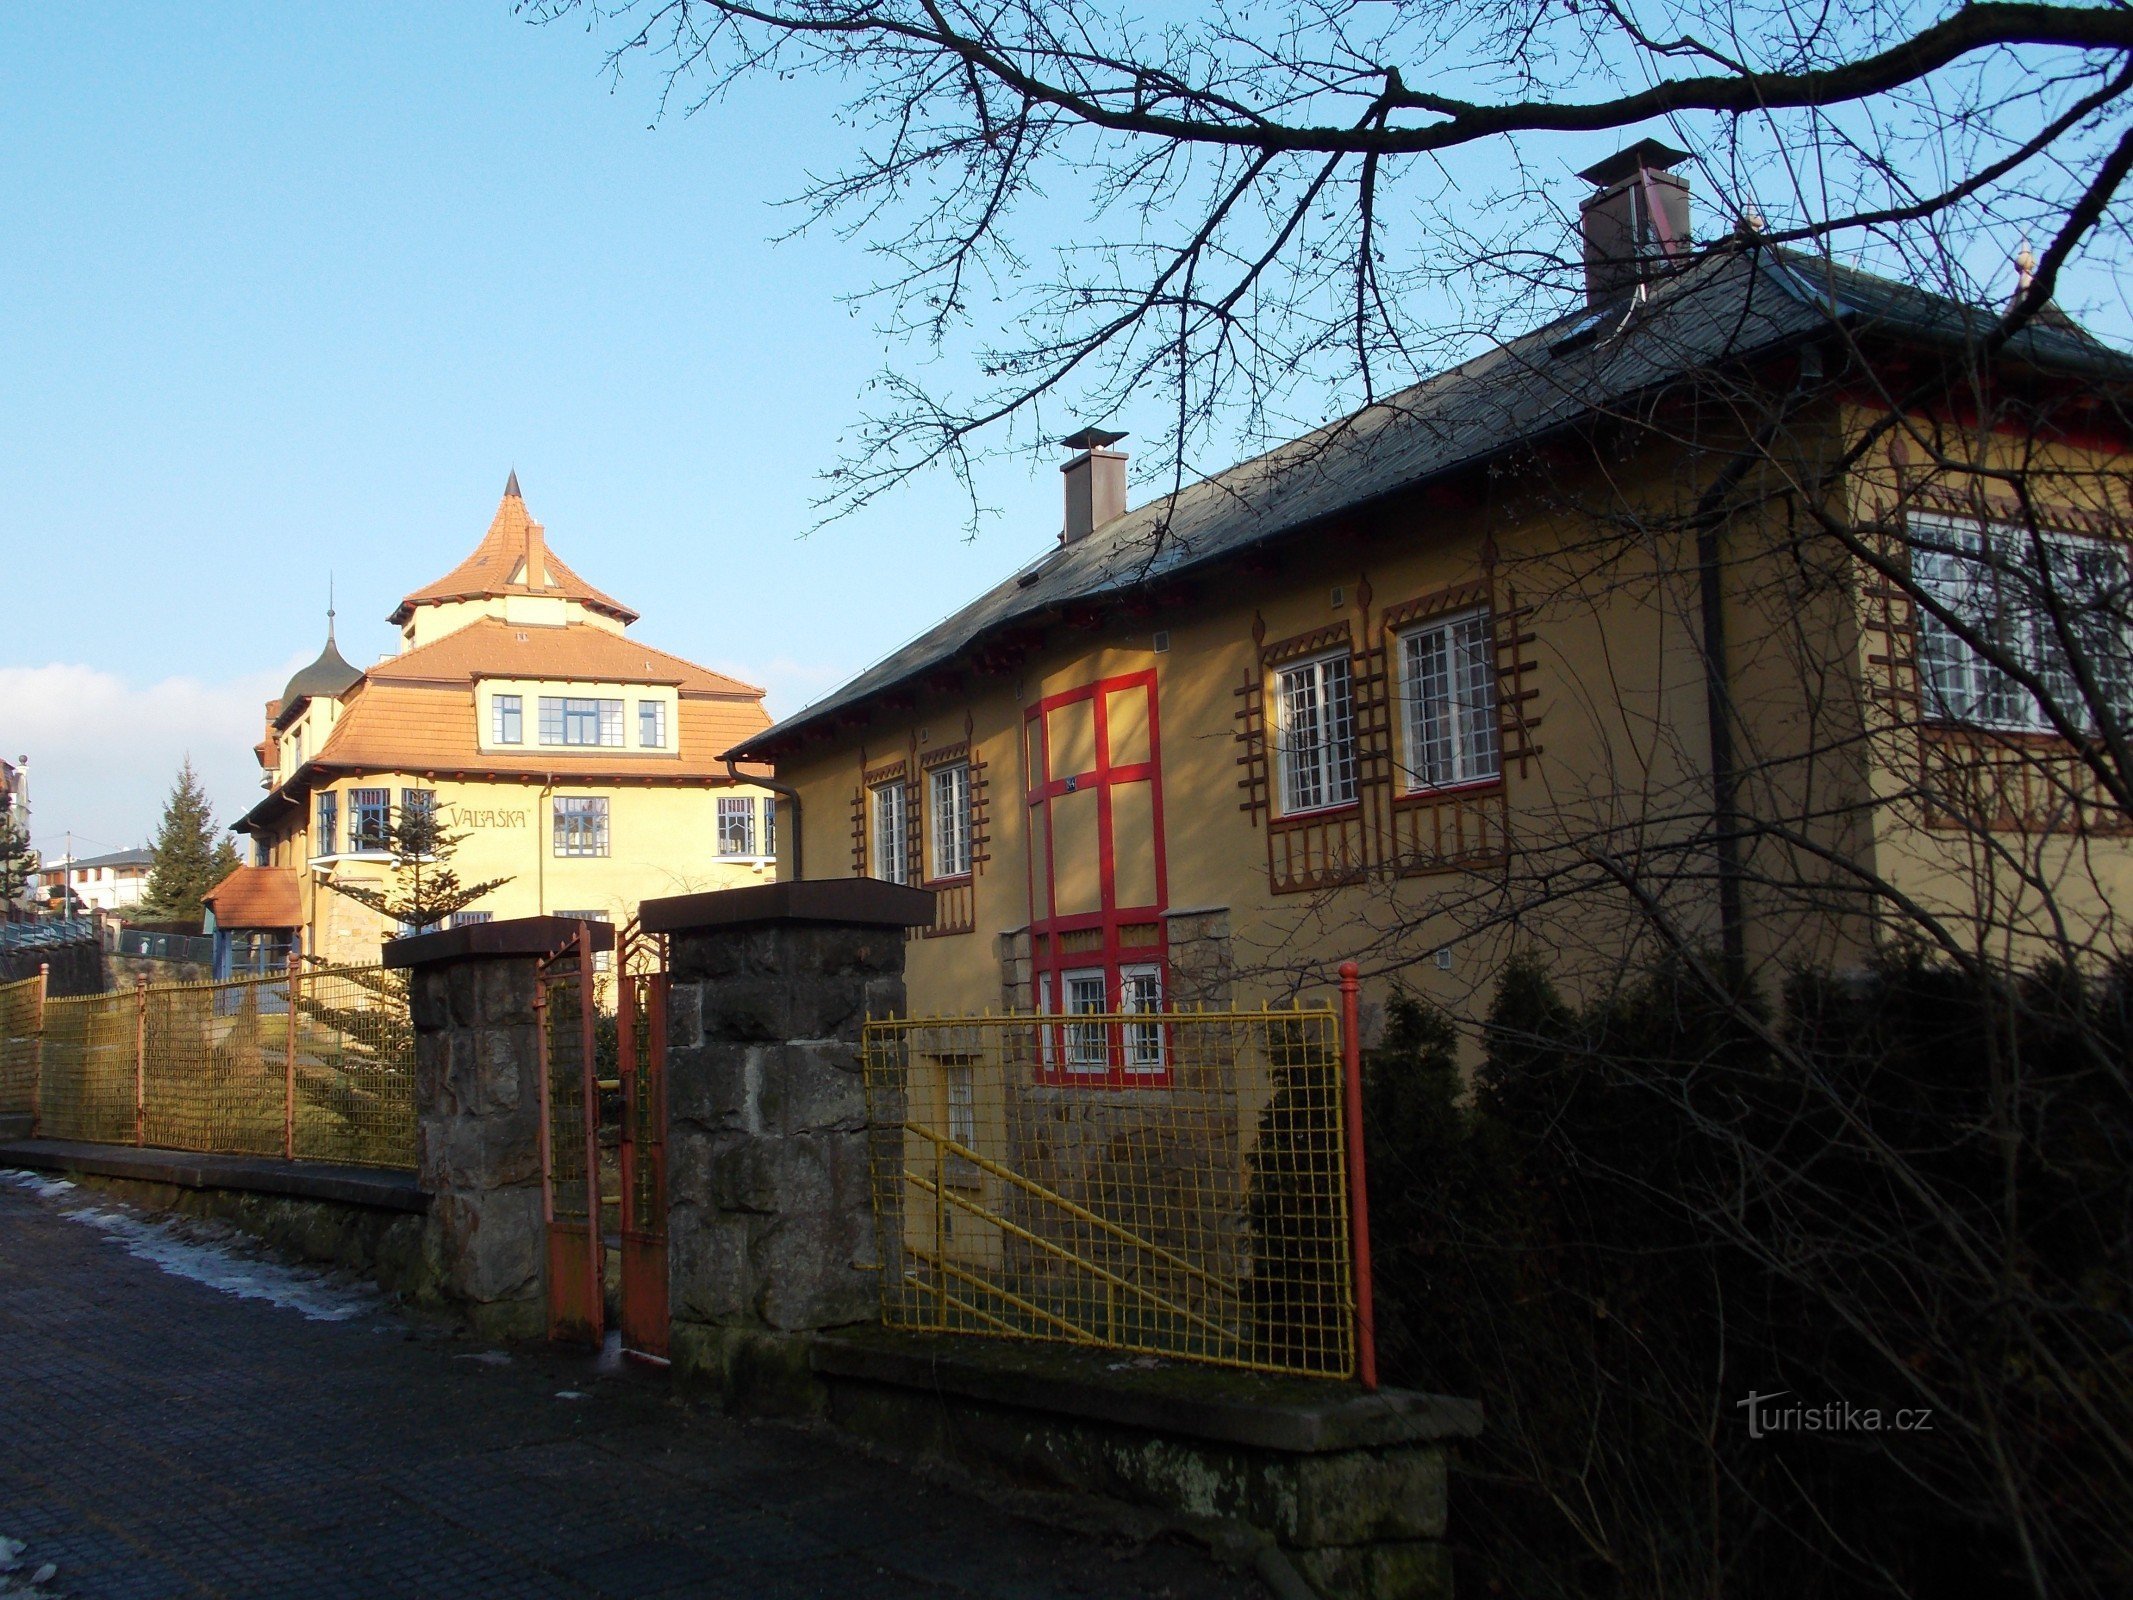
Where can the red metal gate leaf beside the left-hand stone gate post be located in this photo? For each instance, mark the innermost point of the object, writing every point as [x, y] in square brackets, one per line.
[571, 1200]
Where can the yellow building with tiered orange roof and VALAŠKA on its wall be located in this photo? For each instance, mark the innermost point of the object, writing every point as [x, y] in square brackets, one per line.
[577, 763]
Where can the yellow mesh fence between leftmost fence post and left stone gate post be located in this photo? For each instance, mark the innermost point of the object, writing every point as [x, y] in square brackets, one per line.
[238, 1070]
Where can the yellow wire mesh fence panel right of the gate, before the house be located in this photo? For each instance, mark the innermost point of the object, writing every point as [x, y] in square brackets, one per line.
[1157, 1183]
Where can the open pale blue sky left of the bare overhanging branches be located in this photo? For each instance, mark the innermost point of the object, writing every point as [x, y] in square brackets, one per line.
[289, 289]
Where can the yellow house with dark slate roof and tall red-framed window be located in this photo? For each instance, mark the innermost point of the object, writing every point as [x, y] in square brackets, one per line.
[1550, 652]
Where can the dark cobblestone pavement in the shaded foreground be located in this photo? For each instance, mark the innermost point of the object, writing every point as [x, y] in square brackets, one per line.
[161, 1437]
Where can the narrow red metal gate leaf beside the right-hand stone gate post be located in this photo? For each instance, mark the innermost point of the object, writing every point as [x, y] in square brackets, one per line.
[641, 1017]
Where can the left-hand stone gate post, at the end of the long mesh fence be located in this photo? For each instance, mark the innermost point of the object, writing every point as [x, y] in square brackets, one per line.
[477, 1093]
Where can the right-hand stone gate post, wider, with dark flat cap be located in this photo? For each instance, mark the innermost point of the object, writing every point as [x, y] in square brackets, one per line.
[771, 1223]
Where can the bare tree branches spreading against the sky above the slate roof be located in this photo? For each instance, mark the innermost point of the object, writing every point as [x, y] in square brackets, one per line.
[1251, 219]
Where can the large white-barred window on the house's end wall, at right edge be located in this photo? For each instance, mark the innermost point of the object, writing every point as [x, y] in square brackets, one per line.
[1972, 575]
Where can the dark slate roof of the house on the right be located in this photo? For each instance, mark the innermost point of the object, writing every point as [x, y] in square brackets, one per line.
[1729, 306]
